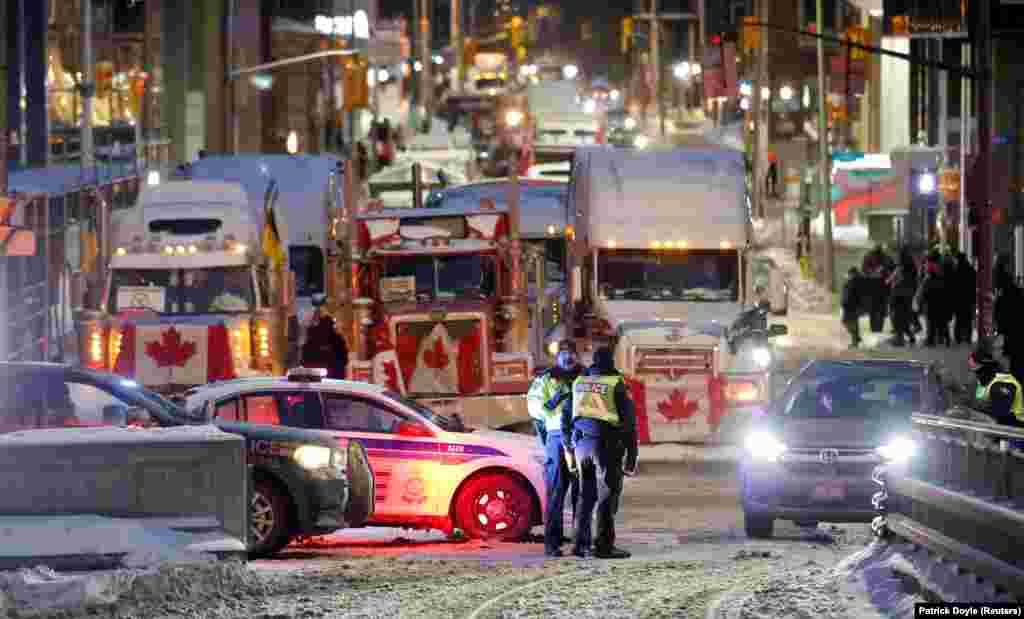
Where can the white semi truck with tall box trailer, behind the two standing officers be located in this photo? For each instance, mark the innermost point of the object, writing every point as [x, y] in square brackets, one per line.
[662, 271]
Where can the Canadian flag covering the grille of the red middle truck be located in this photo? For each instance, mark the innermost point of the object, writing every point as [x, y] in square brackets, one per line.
[444, 358]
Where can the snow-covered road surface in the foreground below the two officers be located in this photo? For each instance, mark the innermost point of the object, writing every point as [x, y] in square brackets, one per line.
[682, 525]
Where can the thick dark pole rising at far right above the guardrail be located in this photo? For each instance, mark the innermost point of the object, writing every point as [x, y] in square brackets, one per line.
[984, 71]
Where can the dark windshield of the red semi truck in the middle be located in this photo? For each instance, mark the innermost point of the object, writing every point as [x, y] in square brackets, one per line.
[446, 277]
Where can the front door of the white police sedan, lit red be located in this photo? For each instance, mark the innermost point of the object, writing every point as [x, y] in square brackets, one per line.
[403, 451]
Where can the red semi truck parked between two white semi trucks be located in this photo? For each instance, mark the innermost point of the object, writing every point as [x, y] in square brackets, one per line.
[440, 309]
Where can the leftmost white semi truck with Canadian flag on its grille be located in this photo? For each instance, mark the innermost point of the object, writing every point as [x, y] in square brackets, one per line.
[193, 293]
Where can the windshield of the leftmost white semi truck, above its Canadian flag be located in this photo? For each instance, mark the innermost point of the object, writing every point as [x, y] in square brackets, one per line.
[183, 292]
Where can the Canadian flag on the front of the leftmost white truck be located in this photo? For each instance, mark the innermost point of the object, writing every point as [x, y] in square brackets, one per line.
[187, 355]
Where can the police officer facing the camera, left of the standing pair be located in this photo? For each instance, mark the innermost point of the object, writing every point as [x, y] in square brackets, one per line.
[549, 394]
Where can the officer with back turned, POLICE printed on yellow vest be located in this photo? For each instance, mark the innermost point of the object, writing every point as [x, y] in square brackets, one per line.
[600, 428]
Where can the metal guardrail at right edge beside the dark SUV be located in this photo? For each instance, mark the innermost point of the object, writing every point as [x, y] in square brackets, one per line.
[962, 498]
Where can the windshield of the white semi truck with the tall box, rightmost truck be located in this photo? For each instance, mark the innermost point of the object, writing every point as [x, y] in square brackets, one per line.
[669, 275]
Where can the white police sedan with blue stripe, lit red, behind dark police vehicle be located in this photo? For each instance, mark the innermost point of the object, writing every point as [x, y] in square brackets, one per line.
[431, 471]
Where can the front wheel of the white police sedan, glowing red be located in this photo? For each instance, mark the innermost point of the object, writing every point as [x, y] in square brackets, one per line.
[494, 507]
